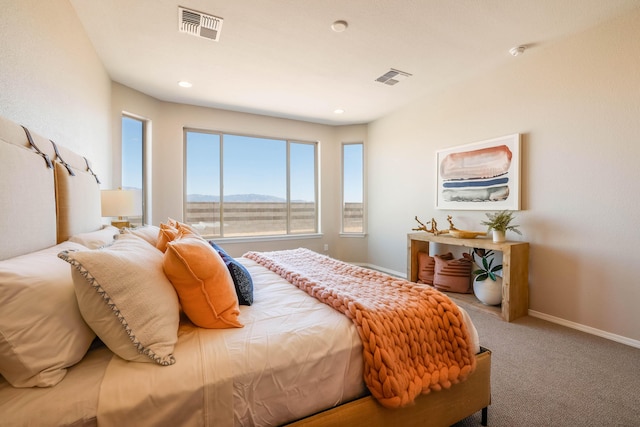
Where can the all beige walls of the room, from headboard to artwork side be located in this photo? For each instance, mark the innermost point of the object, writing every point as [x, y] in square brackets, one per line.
[576, 102]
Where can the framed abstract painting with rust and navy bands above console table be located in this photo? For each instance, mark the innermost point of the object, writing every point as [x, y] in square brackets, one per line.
[482, 176]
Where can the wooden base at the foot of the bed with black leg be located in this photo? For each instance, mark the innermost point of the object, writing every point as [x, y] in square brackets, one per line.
[435, 409]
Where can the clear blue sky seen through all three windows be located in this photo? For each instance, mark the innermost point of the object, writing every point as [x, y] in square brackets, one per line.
[251, 165]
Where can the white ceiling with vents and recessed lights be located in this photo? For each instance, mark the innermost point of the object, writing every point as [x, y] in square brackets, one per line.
[281, 58]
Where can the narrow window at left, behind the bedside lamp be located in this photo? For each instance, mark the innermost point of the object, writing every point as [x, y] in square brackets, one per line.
[133, 148]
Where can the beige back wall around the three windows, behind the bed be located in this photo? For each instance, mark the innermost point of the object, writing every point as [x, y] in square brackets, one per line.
[167, 123]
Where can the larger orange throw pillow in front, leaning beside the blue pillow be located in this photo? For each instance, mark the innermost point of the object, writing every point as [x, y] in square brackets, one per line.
[202, 281]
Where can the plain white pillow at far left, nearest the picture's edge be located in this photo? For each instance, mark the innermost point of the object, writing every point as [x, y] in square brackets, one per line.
[41, 329]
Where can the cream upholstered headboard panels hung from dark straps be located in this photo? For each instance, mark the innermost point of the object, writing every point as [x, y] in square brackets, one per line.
[47, 192]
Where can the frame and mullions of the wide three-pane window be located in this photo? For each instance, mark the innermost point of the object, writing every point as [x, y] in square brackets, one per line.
[288, 142]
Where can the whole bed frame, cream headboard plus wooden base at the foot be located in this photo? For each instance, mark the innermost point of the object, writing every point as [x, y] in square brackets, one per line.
[44, 202]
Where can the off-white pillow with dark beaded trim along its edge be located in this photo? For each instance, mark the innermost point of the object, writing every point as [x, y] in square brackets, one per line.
[127, 300]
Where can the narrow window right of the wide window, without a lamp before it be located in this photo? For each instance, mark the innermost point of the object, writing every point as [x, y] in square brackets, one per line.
[353, 188]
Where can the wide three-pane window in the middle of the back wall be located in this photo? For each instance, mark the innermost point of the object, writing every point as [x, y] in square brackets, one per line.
[237, 185]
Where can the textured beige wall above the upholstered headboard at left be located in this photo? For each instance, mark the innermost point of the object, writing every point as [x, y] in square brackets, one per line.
[52, 81]
